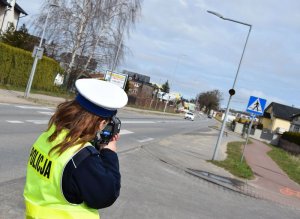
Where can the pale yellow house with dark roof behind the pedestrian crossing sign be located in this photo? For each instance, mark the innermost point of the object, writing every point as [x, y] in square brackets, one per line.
[277, 117]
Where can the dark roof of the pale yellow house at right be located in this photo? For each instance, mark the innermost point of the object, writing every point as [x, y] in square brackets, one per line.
[283, 111]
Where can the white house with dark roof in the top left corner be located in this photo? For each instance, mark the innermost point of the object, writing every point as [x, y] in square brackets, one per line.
[10, 13]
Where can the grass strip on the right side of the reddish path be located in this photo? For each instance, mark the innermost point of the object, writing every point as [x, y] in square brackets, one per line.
[289, 163]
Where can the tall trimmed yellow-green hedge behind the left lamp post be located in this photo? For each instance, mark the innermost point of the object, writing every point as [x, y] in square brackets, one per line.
[15, 68]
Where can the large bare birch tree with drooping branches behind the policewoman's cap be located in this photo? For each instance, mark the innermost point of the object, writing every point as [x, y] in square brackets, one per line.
[91, 28]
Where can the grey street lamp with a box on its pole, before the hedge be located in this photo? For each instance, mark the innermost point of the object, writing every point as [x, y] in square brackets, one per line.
[37, 54]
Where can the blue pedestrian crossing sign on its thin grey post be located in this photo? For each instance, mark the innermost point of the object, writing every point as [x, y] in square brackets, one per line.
[256, 106]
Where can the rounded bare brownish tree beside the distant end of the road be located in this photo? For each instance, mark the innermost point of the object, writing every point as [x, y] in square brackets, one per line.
[210, 100]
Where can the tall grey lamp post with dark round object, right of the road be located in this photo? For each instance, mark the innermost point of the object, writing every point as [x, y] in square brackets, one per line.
[231, 91]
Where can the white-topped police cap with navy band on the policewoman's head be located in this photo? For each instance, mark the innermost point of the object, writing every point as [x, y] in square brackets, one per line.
[101, 98]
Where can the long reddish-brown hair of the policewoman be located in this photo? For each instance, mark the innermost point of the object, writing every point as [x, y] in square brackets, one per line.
[81, 124]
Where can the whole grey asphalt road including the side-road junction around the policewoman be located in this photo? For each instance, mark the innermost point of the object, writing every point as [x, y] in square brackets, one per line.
[150, 188]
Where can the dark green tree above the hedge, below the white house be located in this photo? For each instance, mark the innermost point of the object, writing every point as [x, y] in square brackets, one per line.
[19, 38]
